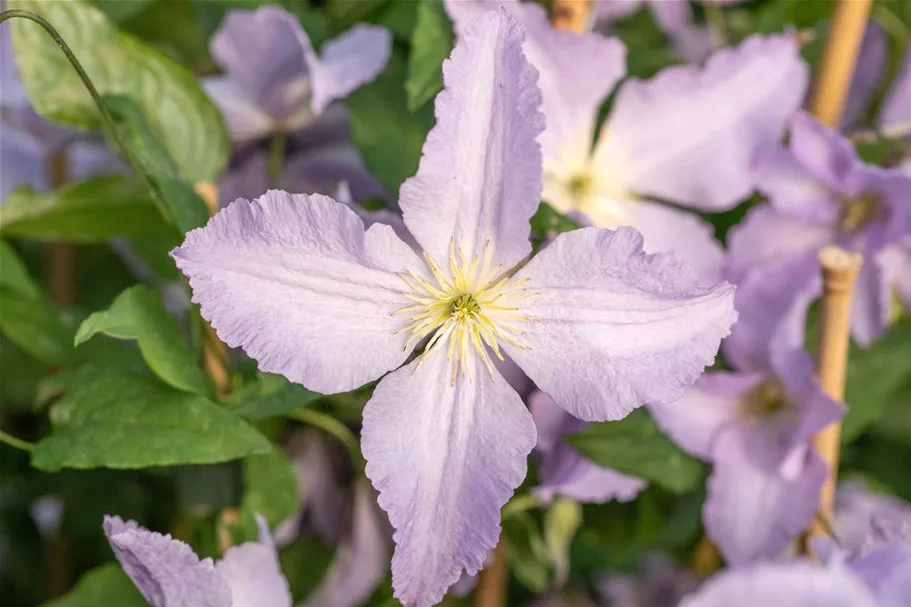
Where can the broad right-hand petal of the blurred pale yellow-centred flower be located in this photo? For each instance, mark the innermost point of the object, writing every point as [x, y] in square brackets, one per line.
[661, 138]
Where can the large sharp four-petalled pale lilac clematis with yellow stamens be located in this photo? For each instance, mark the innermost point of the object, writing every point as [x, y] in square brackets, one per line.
[595, 322]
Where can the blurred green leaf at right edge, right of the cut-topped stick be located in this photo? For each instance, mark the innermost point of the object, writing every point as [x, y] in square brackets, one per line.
[875, 375]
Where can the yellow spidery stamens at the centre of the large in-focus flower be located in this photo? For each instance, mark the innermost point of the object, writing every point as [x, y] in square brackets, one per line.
[473, 307]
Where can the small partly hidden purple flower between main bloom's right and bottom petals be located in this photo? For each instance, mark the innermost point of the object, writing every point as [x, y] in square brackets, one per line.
[563, 470]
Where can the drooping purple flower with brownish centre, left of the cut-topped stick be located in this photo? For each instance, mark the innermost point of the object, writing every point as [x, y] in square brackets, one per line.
[754, 427]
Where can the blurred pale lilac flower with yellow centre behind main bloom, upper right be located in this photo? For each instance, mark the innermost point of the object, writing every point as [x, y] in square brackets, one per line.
[658, 143]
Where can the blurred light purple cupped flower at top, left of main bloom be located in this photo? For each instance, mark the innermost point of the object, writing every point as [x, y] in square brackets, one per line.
[275, 82]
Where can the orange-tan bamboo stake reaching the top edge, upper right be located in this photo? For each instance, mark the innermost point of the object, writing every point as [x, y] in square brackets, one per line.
[839, 59]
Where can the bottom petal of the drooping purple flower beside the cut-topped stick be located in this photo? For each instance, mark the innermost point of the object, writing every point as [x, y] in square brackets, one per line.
[751, 511]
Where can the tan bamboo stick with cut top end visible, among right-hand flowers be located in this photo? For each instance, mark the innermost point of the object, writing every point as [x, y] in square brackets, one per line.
[839, 273]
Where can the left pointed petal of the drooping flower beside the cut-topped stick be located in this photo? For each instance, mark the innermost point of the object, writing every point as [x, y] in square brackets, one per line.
[694, 420]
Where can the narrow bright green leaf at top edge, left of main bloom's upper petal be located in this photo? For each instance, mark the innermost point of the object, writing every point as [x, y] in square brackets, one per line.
[431, 43]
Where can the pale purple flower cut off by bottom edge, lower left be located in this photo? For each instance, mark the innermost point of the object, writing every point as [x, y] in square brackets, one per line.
[169, 574]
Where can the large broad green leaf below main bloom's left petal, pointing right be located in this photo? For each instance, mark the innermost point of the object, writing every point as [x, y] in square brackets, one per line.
[129, 419]
